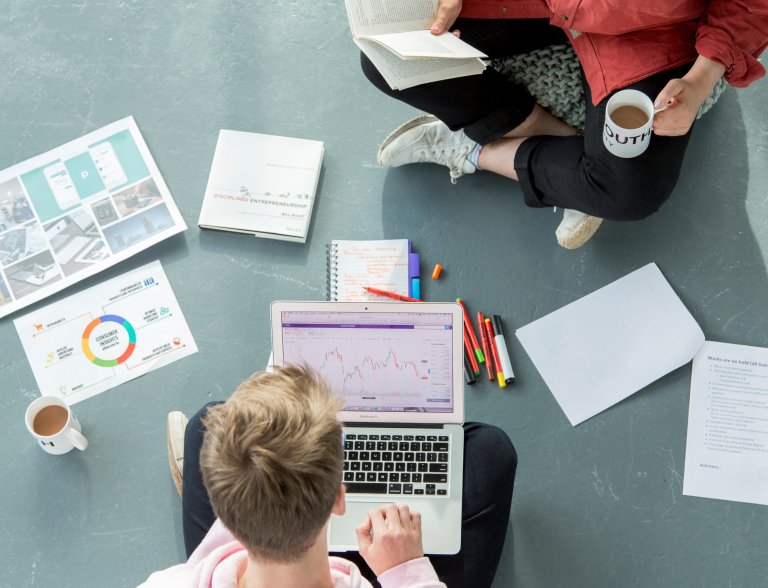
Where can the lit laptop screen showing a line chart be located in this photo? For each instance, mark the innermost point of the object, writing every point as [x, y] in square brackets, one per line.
[376, 361]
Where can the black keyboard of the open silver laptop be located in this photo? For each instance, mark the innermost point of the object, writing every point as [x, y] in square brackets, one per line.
[396, 465]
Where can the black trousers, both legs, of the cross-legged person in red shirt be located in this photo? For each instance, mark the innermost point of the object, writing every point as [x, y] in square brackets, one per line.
[570, 172]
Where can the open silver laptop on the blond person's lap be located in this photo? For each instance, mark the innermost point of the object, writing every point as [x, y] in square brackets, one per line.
[398, 367]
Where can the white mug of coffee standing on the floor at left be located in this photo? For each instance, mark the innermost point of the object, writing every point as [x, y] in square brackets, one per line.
[52, 423]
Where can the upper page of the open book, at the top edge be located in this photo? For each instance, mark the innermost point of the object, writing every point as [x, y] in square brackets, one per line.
[376, 17]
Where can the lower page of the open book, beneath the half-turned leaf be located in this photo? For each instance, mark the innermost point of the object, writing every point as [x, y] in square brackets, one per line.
[401, 74]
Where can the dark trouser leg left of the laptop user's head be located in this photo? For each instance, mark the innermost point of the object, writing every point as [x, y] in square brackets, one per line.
[196, 513]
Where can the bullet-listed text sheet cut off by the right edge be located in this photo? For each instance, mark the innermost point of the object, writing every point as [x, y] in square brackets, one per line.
[726, 454]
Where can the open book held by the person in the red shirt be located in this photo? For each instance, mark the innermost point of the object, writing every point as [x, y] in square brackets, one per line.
[395, 36]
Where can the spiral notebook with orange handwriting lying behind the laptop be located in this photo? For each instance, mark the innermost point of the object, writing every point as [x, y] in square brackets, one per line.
[387, 264]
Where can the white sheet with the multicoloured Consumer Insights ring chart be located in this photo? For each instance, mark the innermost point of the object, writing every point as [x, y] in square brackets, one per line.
[106, 335]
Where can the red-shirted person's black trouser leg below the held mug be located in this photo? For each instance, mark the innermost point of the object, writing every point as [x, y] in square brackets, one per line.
[580, 173]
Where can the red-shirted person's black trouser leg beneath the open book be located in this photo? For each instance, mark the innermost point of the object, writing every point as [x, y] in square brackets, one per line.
[487, 105]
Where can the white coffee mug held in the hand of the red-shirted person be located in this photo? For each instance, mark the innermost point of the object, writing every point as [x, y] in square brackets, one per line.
[630, 135]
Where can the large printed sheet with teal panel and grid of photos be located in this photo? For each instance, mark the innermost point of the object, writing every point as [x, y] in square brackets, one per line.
[69, 213]
